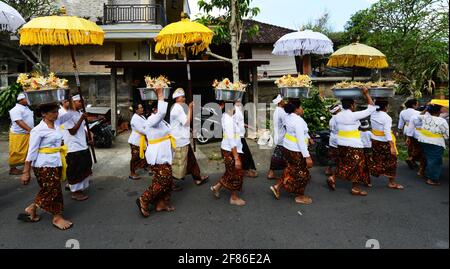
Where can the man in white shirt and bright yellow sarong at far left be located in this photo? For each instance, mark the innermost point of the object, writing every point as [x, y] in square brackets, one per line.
[22, 121]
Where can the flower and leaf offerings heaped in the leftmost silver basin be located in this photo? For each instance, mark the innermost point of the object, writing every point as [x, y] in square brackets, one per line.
[39, 82]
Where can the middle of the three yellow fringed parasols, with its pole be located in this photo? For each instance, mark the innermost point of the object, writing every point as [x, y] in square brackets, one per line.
[181, 38]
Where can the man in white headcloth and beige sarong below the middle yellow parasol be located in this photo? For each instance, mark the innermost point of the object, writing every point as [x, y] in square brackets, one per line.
[184, 161]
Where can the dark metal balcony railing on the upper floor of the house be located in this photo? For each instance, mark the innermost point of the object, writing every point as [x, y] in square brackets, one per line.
[134, 13]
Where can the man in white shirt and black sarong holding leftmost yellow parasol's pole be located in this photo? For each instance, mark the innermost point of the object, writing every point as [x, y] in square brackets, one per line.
[79, 161]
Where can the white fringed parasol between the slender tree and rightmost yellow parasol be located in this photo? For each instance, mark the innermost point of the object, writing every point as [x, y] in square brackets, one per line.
[303, 44]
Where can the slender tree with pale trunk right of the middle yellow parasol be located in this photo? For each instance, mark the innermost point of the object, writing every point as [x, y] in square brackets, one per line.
[228, 27]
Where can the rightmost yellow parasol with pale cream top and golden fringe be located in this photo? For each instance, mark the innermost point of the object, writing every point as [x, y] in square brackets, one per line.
[358, 55]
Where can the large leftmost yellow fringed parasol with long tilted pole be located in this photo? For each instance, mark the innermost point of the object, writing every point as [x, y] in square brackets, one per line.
[66, 31]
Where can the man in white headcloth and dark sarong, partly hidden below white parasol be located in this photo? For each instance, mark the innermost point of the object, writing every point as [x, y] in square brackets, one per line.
[279, 131]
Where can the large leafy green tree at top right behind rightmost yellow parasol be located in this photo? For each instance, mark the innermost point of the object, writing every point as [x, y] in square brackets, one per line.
[414, 36]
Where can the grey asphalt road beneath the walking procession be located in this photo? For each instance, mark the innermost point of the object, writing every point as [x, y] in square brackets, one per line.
[417, 217]
